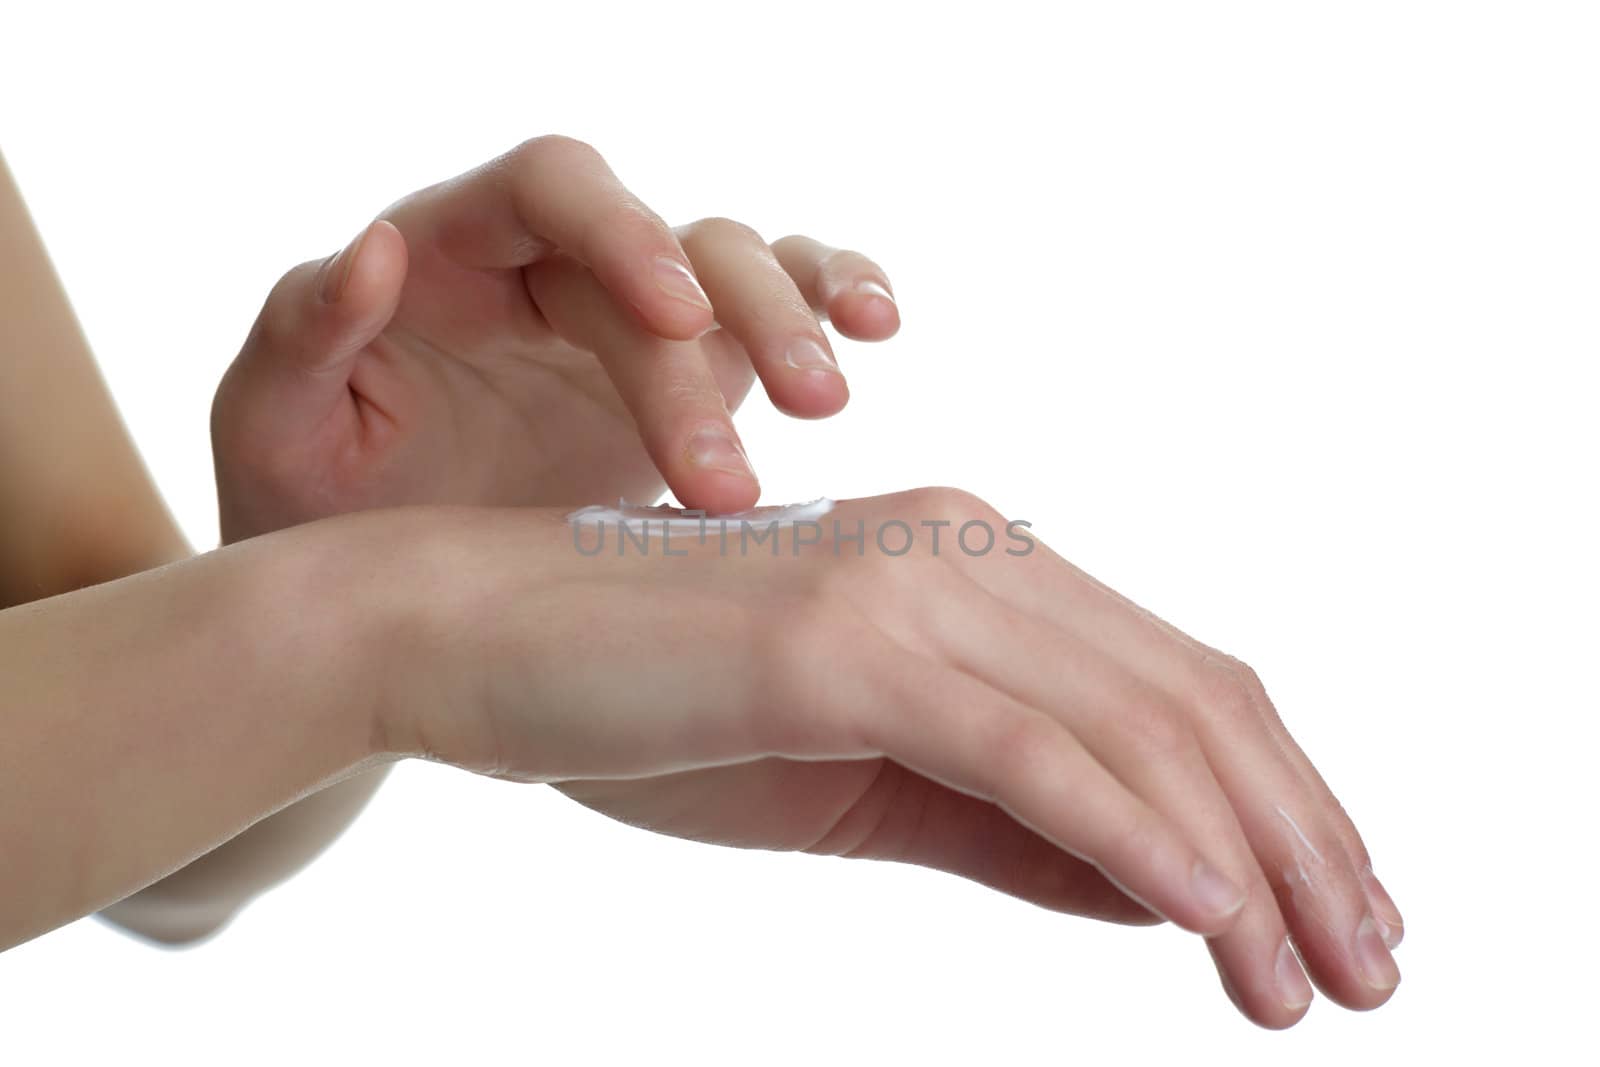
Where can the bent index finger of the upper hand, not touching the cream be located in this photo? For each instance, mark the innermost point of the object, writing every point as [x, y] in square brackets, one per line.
[558, 193]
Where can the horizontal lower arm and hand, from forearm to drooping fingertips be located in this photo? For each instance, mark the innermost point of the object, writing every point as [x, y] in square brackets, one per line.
[1002, 717]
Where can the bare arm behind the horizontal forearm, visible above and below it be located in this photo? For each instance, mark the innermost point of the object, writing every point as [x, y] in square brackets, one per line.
[81, 510]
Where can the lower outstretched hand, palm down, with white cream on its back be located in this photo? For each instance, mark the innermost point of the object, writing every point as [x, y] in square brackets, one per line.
[1002, 717]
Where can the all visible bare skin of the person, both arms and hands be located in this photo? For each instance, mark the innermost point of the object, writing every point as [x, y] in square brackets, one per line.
[487, 354]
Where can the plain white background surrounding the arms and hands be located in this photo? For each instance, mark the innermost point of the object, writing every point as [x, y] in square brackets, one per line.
[1279, 318]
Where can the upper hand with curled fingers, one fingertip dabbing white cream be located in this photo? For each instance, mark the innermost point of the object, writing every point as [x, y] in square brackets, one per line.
[530, 334]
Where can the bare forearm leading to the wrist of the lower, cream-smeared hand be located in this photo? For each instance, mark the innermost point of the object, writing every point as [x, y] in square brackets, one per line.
[151, 719]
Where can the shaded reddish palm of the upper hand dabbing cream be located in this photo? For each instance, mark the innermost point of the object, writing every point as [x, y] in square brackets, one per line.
[473, 399]
